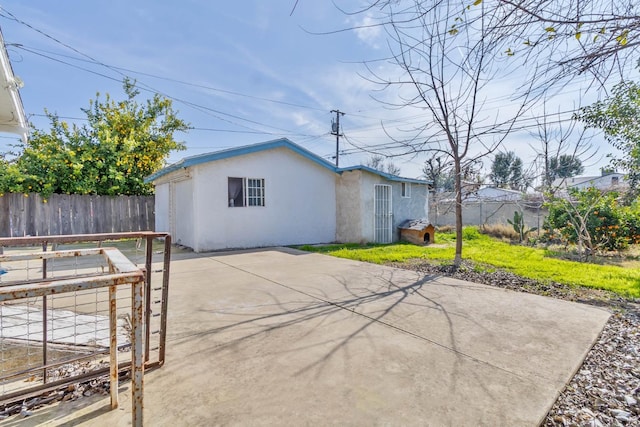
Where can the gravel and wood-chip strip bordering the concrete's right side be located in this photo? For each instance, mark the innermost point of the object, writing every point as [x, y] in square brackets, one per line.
[606, 389]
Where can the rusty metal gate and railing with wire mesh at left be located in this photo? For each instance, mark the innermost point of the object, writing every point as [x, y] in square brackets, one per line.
[65, 306]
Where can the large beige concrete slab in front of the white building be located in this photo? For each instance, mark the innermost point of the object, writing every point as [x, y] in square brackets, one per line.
[282, 337]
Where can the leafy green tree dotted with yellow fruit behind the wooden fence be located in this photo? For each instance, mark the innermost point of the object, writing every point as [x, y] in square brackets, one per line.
[122, 143]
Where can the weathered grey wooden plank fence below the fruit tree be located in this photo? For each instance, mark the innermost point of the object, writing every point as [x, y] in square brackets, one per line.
[32, 215]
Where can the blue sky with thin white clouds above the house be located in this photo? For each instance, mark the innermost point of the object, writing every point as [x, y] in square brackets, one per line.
[238, 72]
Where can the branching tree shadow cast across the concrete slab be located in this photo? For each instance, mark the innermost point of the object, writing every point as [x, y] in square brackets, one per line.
[373, 303]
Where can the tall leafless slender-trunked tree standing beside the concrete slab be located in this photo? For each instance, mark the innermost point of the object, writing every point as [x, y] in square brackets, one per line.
[448, 62]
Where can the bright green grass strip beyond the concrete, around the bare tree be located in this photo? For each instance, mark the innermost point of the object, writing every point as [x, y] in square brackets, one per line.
[533, 263]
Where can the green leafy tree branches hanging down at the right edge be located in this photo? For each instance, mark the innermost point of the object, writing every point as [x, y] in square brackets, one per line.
[617, 117]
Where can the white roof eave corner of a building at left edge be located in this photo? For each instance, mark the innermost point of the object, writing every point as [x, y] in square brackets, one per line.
[12, 117]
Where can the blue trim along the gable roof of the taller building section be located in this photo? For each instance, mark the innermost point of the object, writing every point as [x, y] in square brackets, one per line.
[239, 151]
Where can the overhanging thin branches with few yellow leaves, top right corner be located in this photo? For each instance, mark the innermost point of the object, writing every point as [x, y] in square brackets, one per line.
[587, 36]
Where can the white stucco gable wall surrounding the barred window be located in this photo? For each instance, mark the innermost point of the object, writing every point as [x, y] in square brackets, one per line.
[300, 202]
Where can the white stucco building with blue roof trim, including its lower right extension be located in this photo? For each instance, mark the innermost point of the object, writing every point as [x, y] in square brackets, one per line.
[278, 193]
